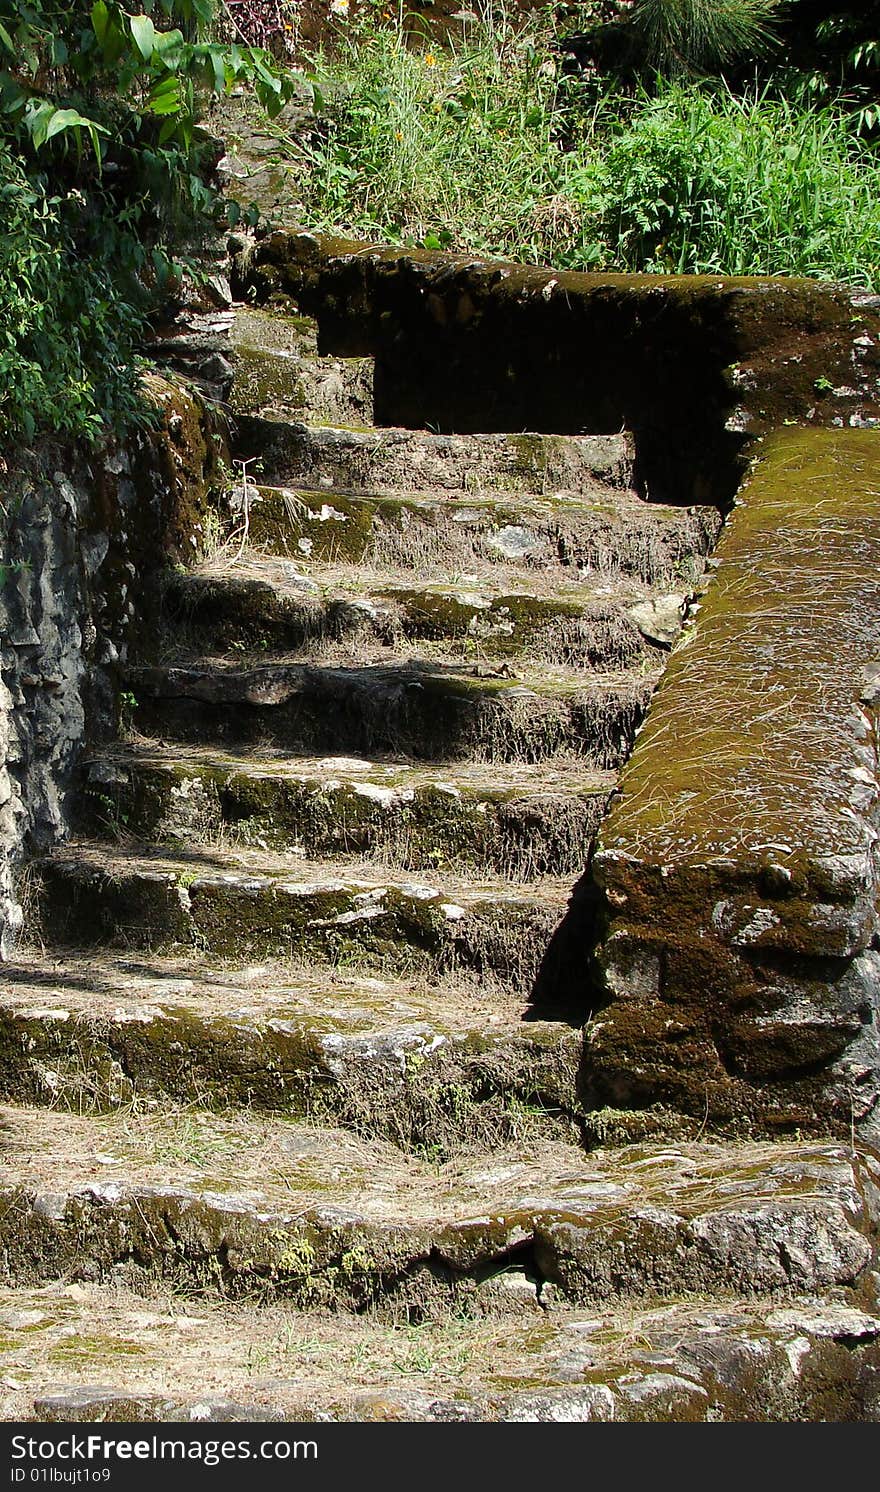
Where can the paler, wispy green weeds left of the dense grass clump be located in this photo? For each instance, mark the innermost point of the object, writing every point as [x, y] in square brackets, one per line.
[444, 150]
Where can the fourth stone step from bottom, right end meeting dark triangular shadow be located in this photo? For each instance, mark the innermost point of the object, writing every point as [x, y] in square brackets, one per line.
[250, 906]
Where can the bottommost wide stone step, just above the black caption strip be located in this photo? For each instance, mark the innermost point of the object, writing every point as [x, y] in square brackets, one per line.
[694, 1361]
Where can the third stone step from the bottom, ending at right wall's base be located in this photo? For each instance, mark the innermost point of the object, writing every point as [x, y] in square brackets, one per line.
[424, 1066]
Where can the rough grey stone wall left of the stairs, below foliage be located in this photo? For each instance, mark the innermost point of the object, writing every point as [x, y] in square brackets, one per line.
[83, 533]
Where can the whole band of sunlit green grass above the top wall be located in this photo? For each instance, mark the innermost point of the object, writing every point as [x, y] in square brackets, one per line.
[485, 150]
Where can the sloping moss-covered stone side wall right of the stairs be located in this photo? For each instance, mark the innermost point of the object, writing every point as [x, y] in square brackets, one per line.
[739, 865]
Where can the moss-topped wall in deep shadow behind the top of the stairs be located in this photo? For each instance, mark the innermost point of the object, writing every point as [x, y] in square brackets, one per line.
[694, 366]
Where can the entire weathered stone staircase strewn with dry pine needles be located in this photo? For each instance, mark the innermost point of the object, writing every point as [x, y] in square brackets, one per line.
[298, 1121]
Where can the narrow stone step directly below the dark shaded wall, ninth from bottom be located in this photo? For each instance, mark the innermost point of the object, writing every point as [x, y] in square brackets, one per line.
[403, 460]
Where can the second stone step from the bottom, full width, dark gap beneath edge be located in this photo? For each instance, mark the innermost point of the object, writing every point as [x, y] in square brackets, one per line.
[263, 1208]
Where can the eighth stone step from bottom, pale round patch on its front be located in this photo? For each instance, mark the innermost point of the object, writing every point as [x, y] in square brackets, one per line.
[602, 535]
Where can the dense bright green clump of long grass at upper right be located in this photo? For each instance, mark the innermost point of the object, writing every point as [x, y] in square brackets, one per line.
[700, 181]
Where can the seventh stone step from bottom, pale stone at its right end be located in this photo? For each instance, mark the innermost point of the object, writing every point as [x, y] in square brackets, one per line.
[253, 606]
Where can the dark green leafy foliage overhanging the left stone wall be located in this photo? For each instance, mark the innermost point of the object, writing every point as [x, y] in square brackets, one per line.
[104, 174]
